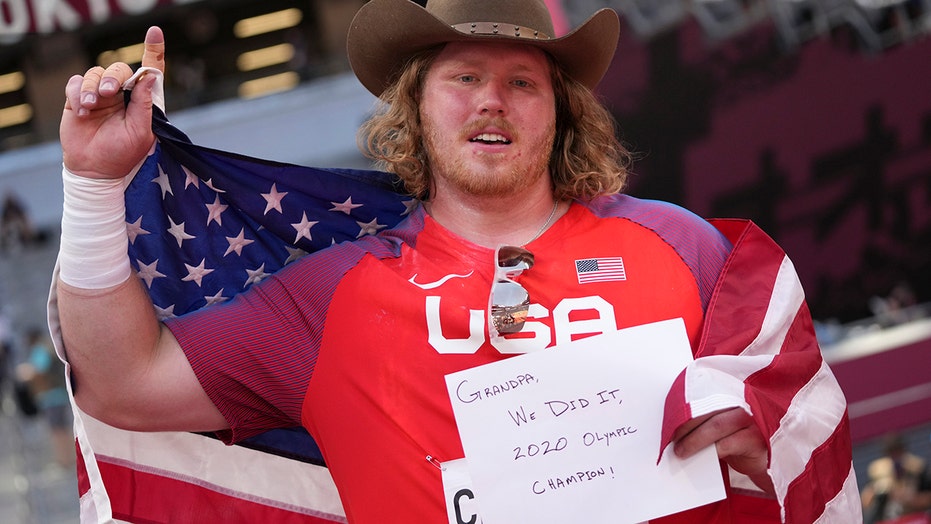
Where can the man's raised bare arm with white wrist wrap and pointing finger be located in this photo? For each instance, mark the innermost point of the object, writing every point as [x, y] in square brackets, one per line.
[129, 370]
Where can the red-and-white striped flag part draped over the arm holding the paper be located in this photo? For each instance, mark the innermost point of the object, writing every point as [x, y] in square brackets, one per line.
[758, 352]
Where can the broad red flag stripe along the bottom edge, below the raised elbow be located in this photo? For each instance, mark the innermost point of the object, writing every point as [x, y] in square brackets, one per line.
[143, 498]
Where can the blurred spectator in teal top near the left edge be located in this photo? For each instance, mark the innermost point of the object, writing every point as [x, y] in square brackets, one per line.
[44, 372]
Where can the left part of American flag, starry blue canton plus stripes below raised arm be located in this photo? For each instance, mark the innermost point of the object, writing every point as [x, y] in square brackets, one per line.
[204, 225]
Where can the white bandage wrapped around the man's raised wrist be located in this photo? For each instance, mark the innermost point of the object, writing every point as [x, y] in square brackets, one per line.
[93, 247]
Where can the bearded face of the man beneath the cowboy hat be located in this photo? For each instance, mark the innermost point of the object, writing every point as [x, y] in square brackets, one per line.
[488, 112]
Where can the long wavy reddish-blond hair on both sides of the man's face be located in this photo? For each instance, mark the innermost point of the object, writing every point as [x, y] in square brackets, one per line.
[587, 159]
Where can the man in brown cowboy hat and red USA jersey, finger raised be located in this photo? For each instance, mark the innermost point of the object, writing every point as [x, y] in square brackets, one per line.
[489, 120]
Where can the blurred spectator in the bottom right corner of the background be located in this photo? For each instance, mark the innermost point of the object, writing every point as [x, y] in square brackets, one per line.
[899, 486]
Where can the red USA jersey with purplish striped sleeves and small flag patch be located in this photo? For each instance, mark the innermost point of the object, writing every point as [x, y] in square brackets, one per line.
[354, 342]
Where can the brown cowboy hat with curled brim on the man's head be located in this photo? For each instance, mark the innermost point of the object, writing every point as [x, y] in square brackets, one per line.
[385, 33]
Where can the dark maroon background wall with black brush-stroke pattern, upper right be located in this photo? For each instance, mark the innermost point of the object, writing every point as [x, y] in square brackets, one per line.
[708, 118]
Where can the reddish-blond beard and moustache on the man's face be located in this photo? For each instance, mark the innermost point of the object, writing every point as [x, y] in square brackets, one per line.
[486, 176]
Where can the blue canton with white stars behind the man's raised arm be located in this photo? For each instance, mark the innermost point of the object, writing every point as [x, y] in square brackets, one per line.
[206, 224]
